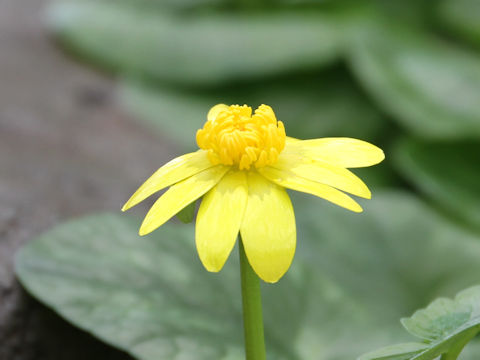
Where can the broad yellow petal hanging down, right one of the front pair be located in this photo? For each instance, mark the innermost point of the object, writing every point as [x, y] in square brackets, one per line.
[268, 228]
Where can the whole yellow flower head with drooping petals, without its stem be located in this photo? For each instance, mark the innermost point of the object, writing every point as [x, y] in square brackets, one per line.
[244, 164]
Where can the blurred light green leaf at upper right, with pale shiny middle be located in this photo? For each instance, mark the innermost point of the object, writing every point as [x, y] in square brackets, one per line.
[430, 87]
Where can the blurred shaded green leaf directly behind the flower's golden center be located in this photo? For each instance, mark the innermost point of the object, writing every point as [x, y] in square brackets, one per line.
[310, 106]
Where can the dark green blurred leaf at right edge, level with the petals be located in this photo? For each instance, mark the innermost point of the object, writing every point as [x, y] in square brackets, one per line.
[448, 173]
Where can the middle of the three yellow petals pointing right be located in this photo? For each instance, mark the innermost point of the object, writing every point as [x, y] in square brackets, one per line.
[322, 172]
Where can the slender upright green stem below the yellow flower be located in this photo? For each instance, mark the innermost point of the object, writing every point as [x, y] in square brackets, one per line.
[252, 310]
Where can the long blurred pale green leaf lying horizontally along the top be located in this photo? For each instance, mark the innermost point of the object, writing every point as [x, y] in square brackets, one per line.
[201, 49]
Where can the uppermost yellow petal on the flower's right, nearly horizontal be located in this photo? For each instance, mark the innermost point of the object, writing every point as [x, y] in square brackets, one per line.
[342, 152]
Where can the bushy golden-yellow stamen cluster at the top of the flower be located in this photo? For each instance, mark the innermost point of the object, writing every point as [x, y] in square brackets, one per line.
[233, 136]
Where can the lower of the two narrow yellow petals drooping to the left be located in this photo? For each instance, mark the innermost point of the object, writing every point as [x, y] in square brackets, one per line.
[179, 196]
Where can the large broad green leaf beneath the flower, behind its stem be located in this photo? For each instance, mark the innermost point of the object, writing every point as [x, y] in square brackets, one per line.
[353, 276]
